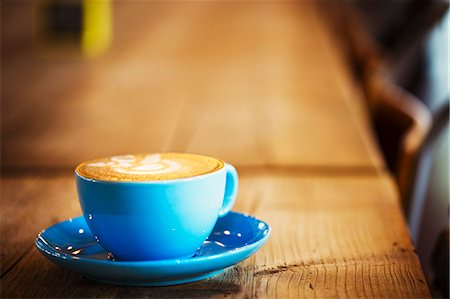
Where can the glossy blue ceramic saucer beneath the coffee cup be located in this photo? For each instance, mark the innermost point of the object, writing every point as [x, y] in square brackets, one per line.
[70, 244]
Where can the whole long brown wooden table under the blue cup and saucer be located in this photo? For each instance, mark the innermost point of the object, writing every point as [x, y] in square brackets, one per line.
[261, 85]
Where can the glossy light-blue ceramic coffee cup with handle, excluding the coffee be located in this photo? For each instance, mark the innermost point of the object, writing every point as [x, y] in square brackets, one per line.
[154, 220]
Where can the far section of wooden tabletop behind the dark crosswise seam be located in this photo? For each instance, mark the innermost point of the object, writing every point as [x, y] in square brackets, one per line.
[252, 83]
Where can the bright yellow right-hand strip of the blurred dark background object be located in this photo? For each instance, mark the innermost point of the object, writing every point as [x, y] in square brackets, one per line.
[97, 26]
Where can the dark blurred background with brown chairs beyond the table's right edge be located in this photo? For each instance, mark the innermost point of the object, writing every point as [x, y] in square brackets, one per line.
[399, 51]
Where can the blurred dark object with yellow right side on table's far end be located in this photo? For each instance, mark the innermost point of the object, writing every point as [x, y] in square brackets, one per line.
[73, 27]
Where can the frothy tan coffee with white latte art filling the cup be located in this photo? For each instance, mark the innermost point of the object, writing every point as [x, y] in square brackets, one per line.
[148, 167]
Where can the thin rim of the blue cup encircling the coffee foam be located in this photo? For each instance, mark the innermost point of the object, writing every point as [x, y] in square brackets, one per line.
[155, 182]
